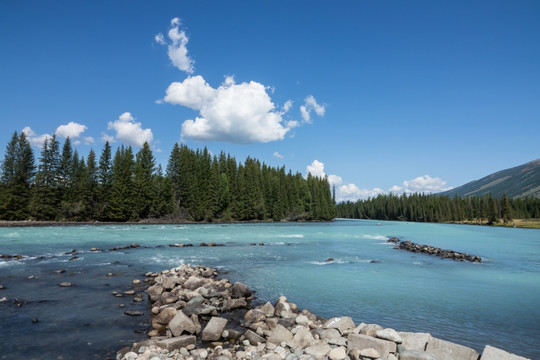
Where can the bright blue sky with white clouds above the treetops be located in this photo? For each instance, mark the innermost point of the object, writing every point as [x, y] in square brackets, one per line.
[378, 95]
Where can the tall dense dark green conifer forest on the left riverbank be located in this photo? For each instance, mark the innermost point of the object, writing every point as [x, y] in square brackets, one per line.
[128, 186]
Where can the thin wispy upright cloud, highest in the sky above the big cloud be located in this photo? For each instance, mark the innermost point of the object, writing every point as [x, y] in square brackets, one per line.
[176, 48]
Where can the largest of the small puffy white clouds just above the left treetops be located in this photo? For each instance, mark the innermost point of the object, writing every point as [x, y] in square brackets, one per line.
[129, 131]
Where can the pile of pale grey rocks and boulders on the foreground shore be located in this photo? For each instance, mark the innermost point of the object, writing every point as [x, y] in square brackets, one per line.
[198, 316]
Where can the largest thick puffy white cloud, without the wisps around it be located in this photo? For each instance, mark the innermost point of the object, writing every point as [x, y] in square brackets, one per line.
[237, 113]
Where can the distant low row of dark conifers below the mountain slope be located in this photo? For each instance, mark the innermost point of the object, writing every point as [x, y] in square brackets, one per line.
[440, 208]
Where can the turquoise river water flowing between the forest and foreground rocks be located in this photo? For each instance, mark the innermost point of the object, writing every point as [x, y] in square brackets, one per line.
[496, 302]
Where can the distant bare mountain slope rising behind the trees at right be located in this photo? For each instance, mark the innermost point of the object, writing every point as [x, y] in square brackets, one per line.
[518, 182]
